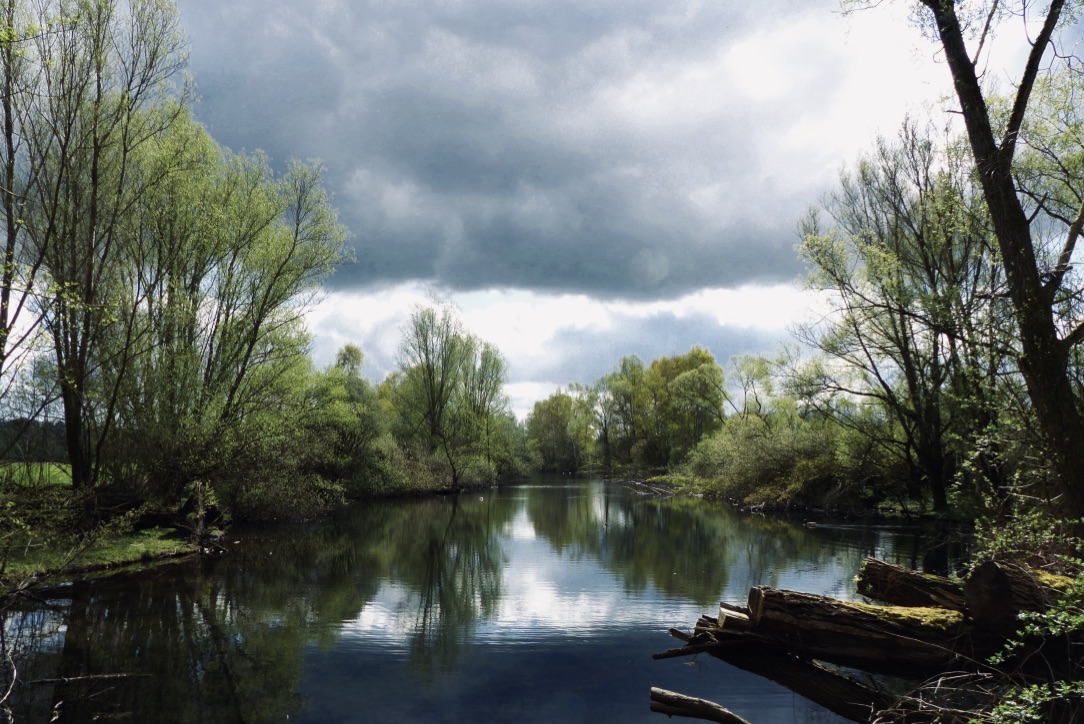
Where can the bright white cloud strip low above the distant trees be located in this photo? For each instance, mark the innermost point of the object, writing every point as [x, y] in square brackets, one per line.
[528, 327]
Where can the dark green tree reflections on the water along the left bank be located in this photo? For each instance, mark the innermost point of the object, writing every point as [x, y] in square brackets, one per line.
[227, 642]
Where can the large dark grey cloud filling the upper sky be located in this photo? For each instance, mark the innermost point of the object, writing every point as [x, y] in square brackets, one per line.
[537, 145]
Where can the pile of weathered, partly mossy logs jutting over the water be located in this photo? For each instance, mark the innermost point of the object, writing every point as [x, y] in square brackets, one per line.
[840, 654]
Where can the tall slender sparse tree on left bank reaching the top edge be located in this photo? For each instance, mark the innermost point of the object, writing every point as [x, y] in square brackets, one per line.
[100, 97]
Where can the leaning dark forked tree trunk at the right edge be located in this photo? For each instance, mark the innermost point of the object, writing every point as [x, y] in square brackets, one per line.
[1035, 281]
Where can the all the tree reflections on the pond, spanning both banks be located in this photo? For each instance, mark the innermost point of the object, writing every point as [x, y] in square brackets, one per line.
[227, 642]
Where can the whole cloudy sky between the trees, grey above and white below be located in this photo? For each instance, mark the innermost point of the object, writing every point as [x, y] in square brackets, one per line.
[586, 180]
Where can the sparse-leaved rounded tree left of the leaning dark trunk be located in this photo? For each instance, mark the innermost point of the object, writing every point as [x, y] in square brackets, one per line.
[913, 282]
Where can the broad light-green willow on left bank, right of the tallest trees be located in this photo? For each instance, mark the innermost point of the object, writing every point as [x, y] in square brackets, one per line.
[221, 262]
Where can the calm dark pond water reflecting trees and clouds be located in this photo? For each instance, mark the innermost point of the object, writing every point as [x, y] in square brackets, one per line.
[540, 603]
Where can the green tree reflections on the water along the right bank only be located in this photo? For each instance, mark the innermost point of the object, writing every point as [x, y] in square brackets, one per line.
[698, 549]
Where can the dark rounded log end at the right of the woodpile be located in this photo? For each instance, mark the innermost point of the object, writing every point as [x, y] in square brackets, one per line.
[997, 592]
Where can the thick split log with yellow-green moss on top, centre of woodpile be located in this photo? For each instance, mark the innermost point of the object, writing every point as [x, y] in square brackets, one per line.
[889, 640]
